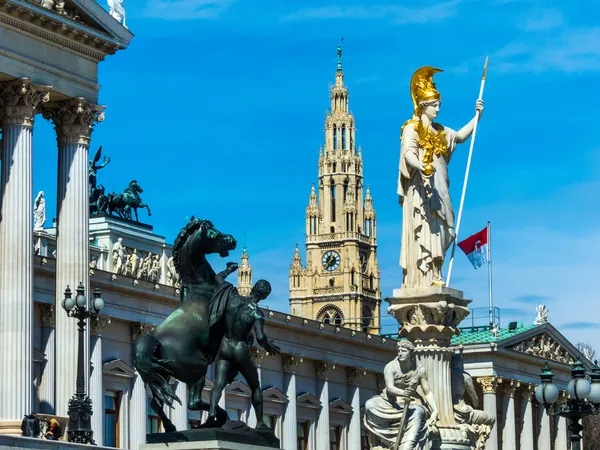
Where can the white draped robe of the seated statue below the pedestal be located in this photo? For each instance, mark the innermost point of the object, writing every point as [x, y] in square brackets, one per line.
[383, 414]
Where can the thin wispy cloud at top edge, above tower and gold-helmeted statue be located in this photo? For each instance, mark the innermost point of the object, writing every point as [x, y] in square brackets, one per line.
[400, 15]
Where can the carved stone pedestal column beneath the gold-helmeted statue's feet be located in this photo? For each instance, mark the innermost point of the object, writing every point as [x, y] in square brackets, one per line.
[429, 317]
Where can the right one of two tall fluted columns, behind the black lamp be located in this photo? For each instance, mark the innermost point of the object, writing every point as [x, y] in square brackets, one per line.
[74, 120]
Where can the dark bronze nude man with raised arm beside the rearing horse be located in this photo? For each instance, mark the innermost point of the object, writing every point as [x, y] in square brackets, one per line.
[238, 315]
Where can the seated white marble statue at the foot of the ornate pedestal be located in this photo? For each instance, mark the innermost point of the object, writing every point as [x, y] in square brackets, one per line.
[406, 386]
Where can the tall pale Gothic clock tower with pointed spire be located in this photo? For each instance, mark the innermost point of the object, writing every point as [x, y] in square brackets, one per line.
[340, 282]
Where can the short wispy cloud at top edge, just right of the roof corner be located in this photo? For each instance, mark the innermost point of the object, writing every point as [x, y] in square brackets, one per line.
[186, 9]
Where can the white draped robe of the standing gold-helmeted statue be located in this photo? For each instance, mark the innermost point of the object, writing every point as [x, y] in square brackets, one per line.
[428, 217]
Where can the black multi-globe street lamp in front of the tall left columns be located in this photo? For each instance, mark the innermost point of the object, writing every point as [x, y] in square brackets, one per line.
[80, 406]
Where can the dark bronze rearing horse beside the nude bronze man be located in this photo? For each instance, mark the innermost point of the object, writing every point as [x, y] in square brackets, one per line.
[184, 345]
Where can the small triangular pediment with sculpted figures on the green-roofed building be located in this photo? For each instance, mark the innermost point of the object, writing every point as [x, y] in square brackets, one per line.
[546, 344]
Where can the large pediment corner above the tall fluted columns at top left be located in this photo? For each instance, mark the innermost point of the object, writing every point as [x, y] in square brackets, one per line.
[82, 25]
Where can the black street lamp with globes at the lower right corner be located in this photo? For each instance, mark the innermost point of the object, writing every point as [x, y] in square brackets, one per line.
[583, 401]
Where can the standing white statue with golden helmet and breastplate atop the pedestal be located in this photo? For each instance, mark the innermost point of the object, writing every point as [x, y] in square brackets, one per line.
[423, 183]
